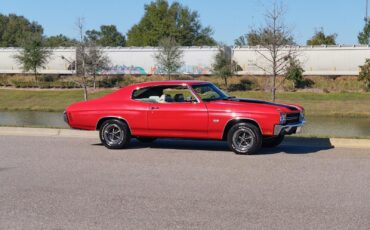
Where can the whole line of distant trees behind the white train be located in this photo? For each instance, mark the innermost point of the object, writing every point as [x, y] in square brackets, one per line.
[160, 20]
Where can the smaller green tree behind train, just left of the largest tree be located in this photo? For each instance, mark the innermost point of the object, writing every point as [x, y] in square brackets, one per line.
[107, 36]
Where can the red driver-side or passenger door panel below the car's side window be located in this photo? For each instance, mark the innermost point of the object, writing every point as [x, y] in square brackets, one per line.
[188, 119]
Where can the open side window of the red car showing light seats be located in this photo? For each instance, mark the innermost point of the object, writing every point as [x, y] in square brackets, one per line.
[164, 94]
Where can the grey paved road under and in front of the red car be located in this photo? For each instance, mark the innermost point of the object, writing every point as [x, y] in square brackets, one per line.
[75, 183]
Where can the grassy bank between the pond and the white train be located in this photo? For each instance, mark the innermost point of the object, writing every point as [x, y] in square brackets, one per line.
[346, 104]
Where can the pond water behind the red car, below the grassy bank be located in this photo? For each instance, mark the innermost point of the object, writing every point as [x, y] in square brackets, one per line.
[325, 126]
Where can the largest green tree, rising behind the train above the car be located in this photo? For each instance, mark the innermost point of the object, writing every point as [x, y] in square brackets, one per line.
[163, 20]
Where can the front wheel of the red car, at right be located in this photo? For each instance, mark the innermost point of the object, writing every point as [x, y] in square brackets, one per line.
[246, 133]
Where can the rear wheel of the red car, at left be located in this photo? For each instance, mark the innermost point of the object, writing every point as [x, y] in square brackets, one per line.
[114, 134]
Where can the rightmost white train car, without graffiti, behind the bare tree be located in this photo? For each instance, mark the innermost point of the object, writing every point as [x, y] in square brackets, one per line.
[315, 60]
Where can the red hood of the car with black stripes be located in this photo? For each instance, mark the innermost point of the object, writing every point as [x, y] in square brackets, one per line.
[241, 103]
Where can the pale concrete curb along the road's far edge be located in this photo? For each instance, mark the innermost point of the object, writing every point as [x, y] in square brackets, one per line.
[296, 141]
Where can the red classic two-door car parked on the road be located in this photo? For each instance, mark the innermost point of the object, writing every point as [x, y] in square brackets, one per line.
[185, 109]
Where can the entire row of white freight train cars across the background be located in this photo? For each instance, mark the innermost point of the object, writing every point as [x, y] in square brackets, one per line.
[316, 60]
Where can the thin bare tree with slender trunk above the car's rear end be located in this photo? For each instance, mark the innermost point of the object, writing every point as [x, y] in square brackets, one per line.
[81, 54]
